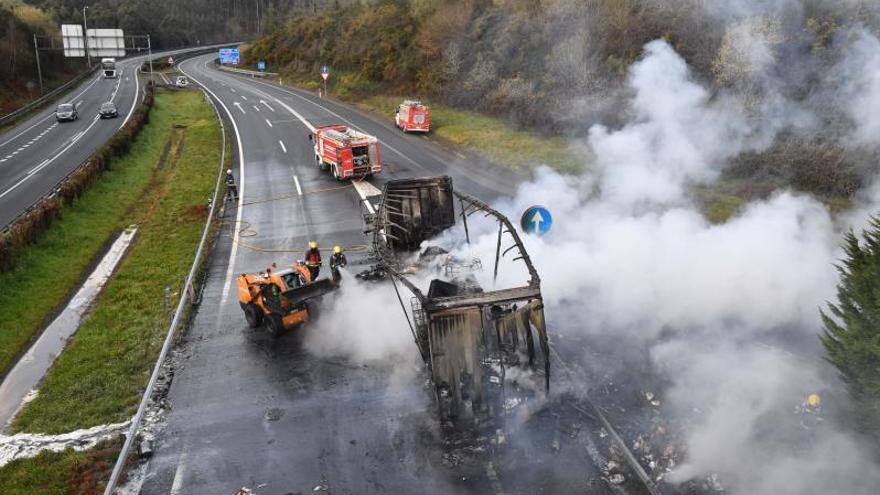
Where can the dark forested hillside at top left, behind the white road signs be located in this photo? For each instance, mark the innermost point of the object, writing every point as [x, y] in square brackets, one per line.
[170, 24]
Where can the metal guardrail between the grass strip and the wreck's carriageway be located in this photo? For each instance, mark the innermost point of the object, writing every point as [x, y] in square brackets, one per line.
[187, 294]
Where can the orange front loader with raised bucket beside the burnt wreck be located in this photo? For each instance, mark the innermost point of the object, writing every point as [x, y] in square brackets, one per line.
[280, 299]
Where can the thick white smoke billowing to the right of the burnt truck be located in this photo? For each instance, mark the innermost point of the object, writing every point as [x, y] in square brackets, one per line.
[630, 255]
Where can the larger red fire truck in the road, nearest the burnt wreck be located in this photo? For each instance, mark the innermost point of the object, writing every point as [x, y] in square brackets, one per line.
[346, 152]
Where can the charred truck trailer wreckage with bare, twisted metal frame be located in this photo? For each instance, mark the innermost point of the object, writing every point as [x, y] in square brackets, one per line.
[470, 338]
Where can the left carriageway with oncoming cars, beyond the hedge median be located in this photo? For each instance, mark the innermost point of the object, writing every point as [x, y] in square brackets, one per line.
[38, 152]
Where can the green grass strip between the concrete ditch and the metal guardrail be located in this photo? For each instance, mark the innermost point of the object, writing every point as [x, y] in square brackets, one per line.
[101, 374]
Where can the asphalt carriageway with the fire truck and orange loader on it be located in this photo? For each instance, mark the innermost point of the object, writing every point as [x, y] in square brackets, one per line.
[250, 410]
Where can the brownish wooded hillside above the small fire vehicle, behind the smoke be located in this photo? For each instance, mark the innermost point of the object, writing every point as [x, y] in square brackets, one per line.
[561, 66]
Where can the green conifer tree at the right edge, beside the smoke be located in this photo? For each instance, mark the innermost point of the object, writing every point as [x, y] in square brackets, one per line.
[852, 329]
